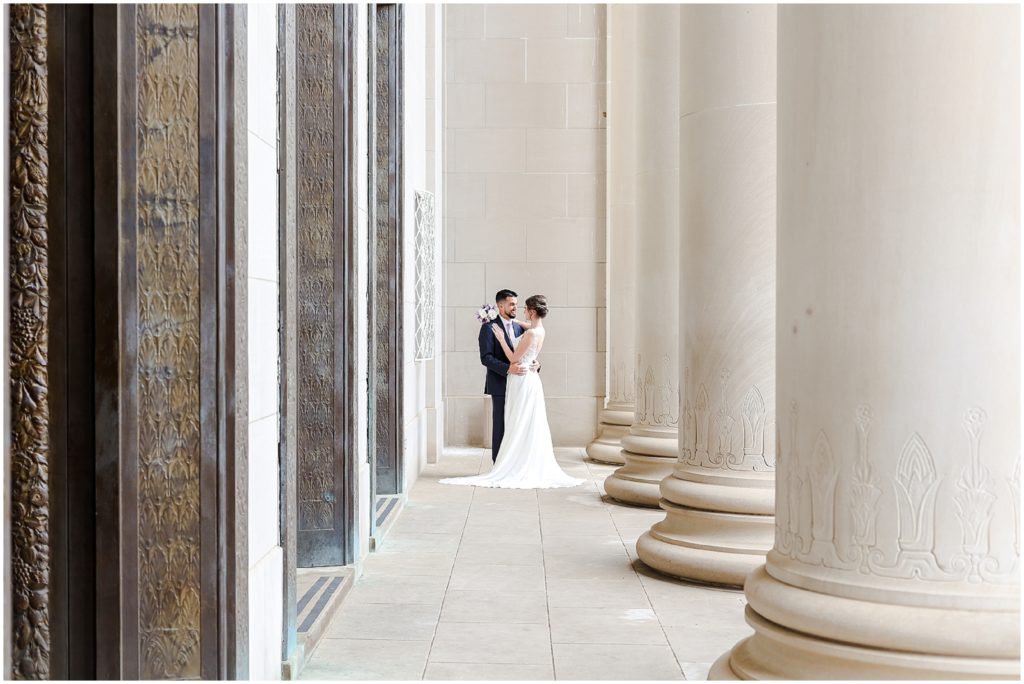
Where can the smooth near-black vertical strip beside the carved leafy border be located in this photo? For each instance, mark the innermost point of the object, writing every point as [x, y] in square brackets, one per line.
[72, 386]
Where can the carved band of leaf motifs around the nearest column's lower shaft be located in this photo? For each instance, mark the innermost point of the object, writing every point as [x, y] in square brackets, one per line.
[809, 532]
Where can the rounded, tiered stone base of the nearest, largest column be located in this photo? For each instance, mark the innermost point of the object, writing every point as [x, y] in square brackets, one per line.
[872, 640]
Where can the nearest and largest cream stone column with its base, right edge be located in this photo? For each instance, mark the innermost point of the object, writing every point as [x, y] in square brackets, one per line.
[898, 551]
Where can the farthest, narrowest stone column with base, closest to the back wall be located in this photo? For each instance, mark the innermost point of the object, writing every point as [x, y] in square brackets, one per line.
[618, 413]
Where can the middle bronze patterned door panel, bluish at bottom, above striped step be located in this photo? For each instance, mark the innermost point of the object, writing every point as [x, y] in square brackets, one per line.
[325, 286]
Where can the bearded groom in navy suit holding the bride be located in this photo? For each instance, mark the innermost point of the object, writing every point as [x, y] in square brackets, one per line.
[493, 357]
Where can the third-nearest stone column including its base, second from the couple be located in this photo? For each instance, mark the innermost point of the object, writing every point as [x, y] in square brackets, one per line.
[652, 446]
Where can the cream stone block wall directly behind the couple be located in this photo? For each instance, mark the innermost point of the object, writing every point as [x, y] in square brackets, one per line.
[525, 201]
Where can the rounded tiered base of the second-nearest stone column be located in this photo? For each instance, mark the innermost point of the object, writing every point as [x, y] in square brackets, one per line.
[707, 546]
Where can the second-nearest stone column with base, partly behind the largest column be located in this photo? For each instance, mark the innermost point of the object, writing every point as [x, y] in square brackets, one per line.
[720, 498]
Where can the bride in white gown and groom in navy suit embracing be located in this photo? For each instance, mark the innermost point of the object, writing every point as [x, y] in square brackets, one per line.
[522, 447]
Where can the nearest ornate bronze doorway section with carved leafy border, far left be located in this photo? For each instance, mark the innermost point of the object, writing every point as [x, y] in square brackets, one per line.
[131, 447]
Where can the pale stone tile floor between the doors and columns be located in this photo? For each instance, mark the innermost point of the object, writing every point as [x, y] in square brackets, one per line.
[478, 584]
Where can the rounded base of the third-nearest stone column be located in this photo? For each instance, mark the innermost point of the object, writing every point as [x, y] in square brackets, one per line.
[651, 457]
